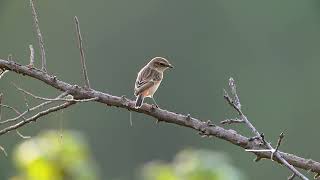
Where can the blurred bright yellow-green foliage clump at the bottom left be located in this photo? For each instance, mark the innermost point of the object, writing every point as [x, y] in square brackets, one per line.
[54, 156]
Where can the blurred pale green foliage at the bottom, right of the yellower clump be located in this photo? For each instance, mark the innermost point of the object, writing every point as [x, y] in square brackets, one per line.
[193, 165]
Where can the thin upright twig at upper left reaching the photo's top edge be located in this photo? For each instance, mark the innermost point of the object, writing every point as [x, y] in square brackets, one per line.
[39, 35]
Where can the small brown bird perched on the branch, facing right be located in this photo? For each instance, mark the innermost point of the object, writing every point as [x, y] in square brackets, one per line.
[149, 79]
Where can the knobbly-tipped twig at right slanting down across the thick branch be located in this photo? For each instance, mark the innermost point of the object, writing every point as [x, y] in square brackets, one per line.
[237, 106]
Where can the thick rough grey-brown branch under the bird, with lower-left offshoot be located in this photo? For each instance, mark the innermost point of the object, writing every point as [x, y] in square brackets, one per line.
[204, 128]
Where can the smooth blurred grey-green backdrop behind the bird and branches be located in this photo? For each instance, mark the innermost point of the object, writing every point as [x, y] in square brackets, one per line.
[270, 47]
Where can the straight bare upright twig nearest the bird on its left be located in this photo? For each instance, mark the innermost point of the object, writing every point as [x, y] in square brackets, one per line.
[82, 56]
